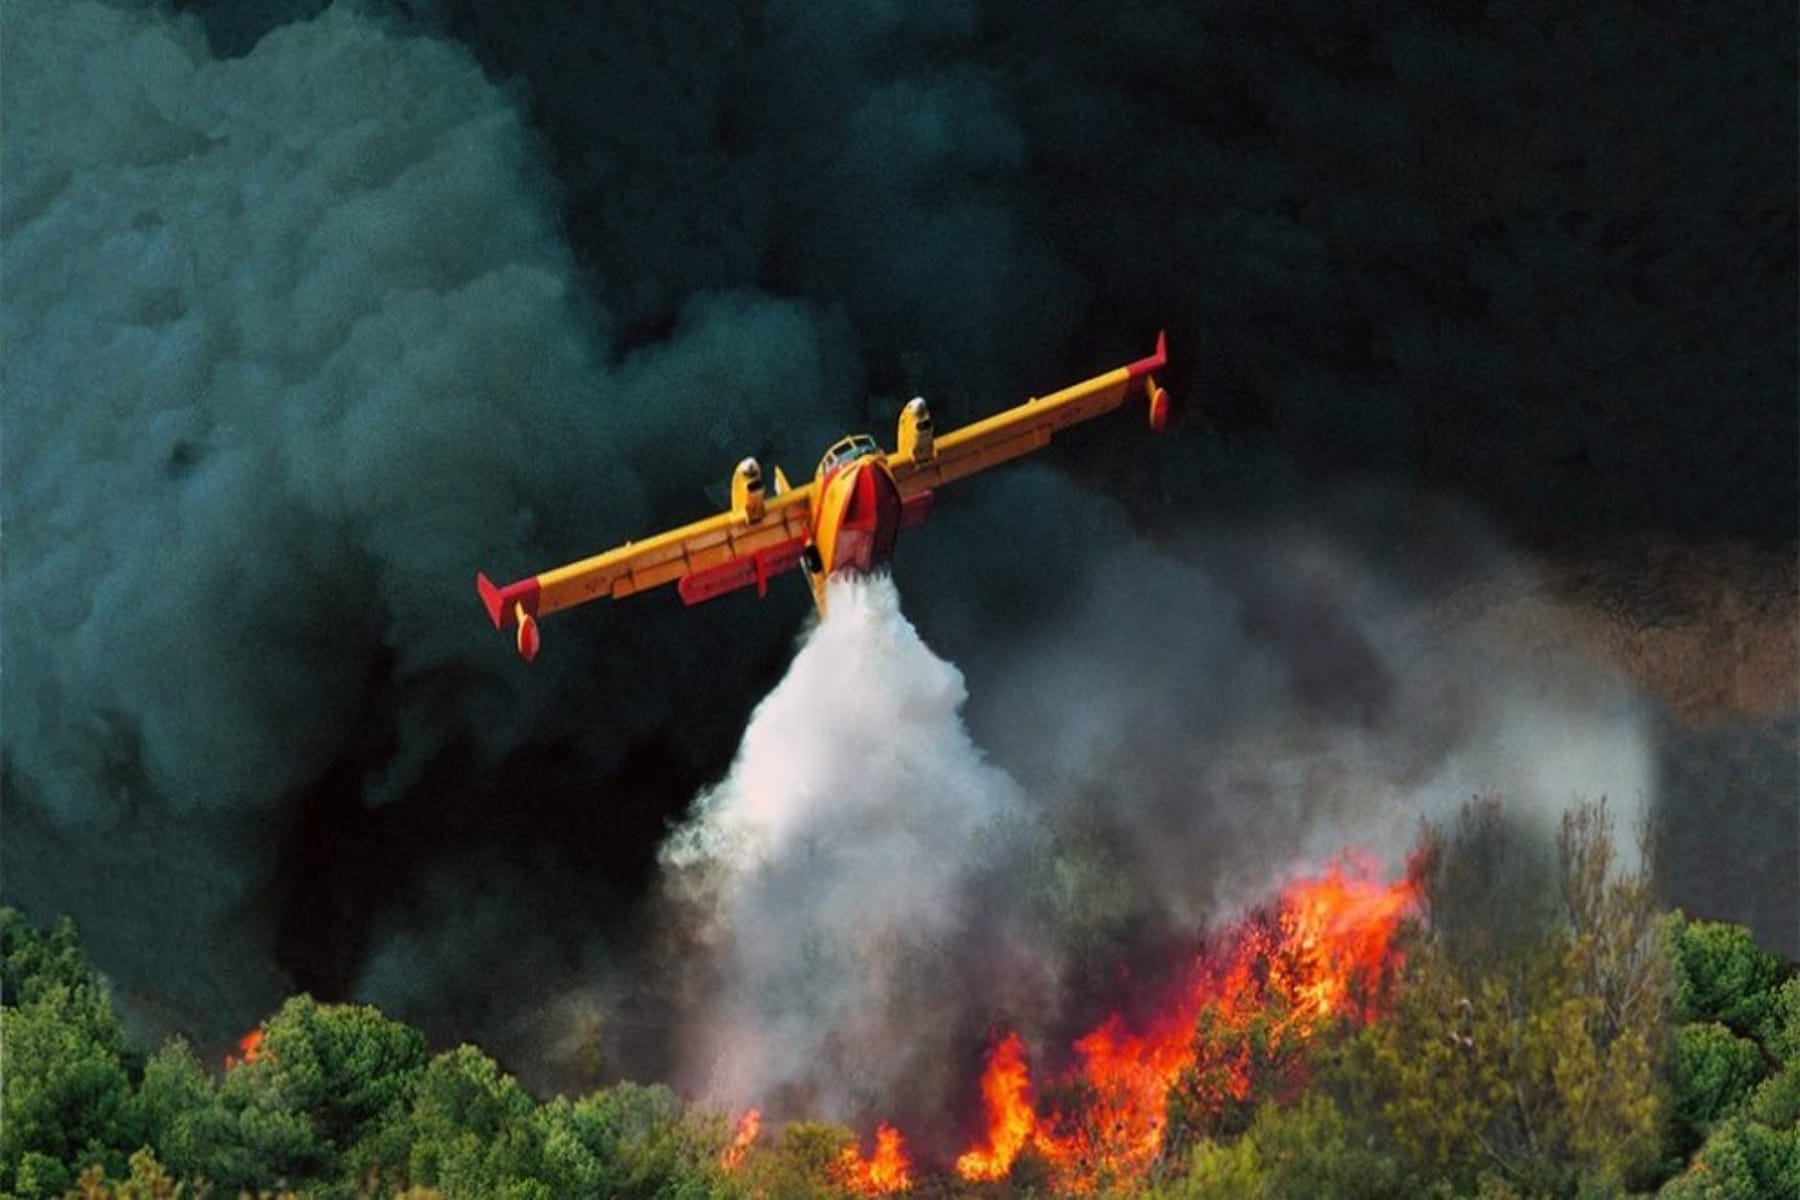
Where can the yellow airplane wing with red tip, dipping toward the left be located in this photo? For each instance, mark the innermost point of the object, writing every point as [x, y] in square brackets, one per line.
[750, 544]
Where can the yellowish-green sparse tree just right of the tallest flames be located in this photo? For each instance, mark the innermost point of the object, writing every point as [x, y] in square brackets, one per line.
[1536, 1061]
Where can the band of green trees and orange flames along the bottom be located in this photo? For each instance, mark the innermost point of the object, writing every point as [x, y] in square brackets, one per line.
[1439, 1034]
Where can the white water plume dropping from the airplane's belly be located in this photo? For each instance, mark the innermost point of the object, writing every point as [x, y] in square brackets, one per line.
[836, 864]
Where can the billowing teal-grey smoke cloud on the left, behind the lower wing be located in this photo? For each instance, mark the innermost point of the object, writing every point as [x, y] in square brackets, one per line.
[289, 359]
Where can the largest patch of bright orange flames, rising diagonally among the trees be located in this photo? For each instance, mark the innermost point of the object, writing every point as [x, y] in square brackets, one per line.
[1234, 1032]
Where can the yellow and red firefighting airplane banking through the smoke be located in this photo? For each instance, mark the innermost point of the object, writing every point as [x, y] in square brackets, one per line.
[845, 521]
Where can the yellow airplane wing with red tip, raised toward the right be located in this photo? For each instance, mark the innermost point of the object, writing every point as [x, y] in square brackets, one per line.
[1025, 427]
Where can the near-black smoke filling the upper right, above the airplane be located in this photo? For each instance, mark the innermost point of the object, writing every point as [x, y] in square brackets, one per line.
[1542, 262]
